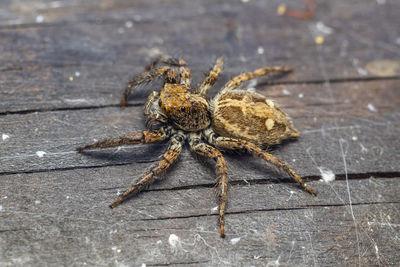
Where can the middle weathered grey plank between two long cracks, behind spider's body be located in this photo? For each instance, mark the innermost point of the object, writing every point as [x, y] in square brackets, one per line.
[366, 139]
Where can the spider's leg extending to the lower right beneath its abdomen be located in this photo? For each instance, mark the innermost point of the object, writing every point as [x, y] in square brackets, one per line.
[237, 144]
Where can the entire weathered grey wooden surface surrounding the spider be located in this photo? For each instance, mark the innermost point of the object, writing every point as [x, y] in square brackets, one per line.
[64, 65]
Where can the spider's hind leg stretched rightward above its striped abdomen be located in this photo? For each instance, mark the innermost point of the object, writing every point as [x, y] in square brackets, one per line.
[238, 80]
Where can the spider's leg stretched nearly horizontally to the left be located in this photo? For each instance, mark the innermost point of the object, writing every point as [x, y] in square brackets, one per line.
[145, 137]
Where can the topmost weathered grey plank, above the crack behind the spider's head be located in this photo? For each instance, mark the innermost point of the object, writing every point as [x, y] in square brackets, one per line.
[105, 44]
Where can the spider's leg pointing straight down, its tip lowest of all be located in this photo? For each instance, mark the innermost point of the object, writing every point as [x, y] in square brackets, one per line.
[203, 149]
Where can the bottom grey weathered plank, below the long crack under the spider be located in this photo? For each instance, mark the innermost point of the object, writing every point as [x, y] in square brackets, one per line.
[266, 223]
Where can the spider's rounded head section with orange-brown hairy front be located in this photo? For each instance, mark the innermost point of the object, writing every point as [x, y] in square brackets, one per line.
[187, 111]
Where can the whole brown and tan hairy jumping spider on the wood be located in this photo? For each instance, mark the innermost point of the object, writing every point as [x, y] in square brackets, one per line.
[232, 120]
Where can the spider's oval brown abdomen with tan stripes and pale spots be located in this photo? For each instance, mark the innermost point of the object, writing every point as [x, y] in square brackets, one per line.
[250, 116]
